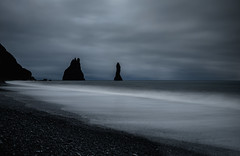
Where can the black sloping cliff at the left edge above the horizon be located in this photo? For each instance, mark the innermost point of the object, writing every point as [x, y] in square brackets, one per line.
[10, 69]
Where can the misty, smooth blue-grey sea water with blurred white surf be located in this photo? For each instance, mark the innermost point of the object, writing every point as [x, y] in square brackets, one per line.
[204, 112]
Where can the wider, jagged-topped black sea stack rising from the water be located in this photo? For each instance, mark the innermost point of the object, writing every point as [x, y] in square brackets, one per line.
[74, 71]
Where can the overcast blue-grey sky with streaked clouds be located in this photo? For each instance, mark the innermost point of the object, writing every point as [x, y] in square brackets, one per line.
[151, 39]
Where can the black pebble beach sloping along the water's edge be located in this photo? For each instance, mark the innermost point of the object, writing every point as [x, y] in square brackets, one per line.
[41, 133]
